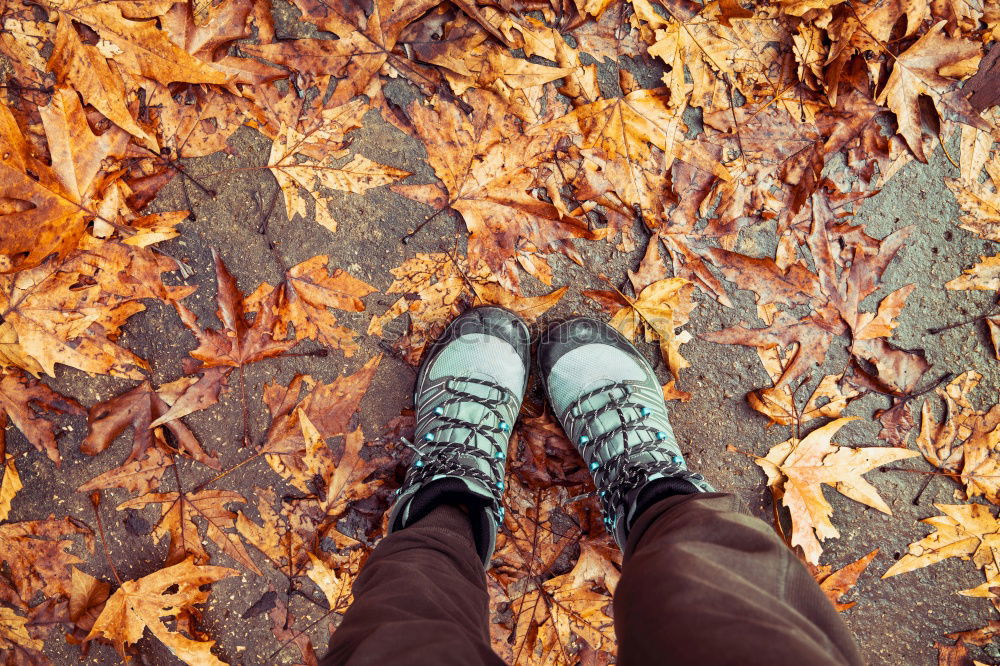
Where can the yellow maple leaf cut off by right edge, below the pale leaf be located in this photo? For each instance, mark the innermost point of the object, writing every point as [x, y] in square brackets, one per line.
[966, 531]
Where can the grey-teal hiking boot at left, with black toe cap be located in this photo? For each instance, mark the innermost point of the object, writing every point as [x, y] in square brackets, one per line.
[467, 397]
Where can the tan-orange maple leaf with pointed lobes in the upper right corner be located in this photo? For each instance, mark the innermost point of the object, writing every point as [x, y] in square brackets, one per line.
[927, 68]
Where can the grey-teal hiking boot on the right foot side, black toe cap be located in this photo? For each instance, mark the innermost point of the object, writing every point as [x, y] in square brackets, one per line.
[610, 403]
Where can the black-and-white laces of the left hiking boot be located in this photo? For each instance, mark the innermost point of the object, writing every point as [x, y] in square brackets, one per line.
[442, 457]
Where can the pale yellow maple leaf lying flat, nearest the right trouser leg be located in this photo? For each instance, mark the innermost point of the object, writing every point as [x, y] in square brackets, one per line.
[797, 468]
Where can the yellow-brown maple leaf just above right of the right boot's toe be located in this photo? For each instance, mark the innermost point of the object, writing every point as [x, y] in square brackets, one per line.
[659, 310]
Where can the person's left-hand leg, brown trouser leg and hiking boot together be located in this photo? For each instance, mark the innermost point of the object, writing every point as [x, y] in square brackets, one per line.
[421, 597]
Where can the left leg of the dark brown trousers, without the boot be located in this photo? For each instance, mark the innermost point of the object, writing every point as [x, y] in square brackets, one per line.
[420, 599]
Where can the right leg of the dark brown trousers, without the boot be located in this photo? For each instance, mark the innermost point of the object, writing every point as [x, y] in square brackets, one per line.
[703, 583]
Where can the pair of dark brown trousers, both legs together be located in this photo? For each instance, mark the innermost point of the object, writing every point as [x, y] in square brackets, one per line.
[702, 584]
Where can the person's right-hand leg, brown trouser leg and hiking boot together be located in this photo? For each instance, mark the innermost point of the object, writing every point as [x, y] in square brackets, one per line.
[701, 583]
